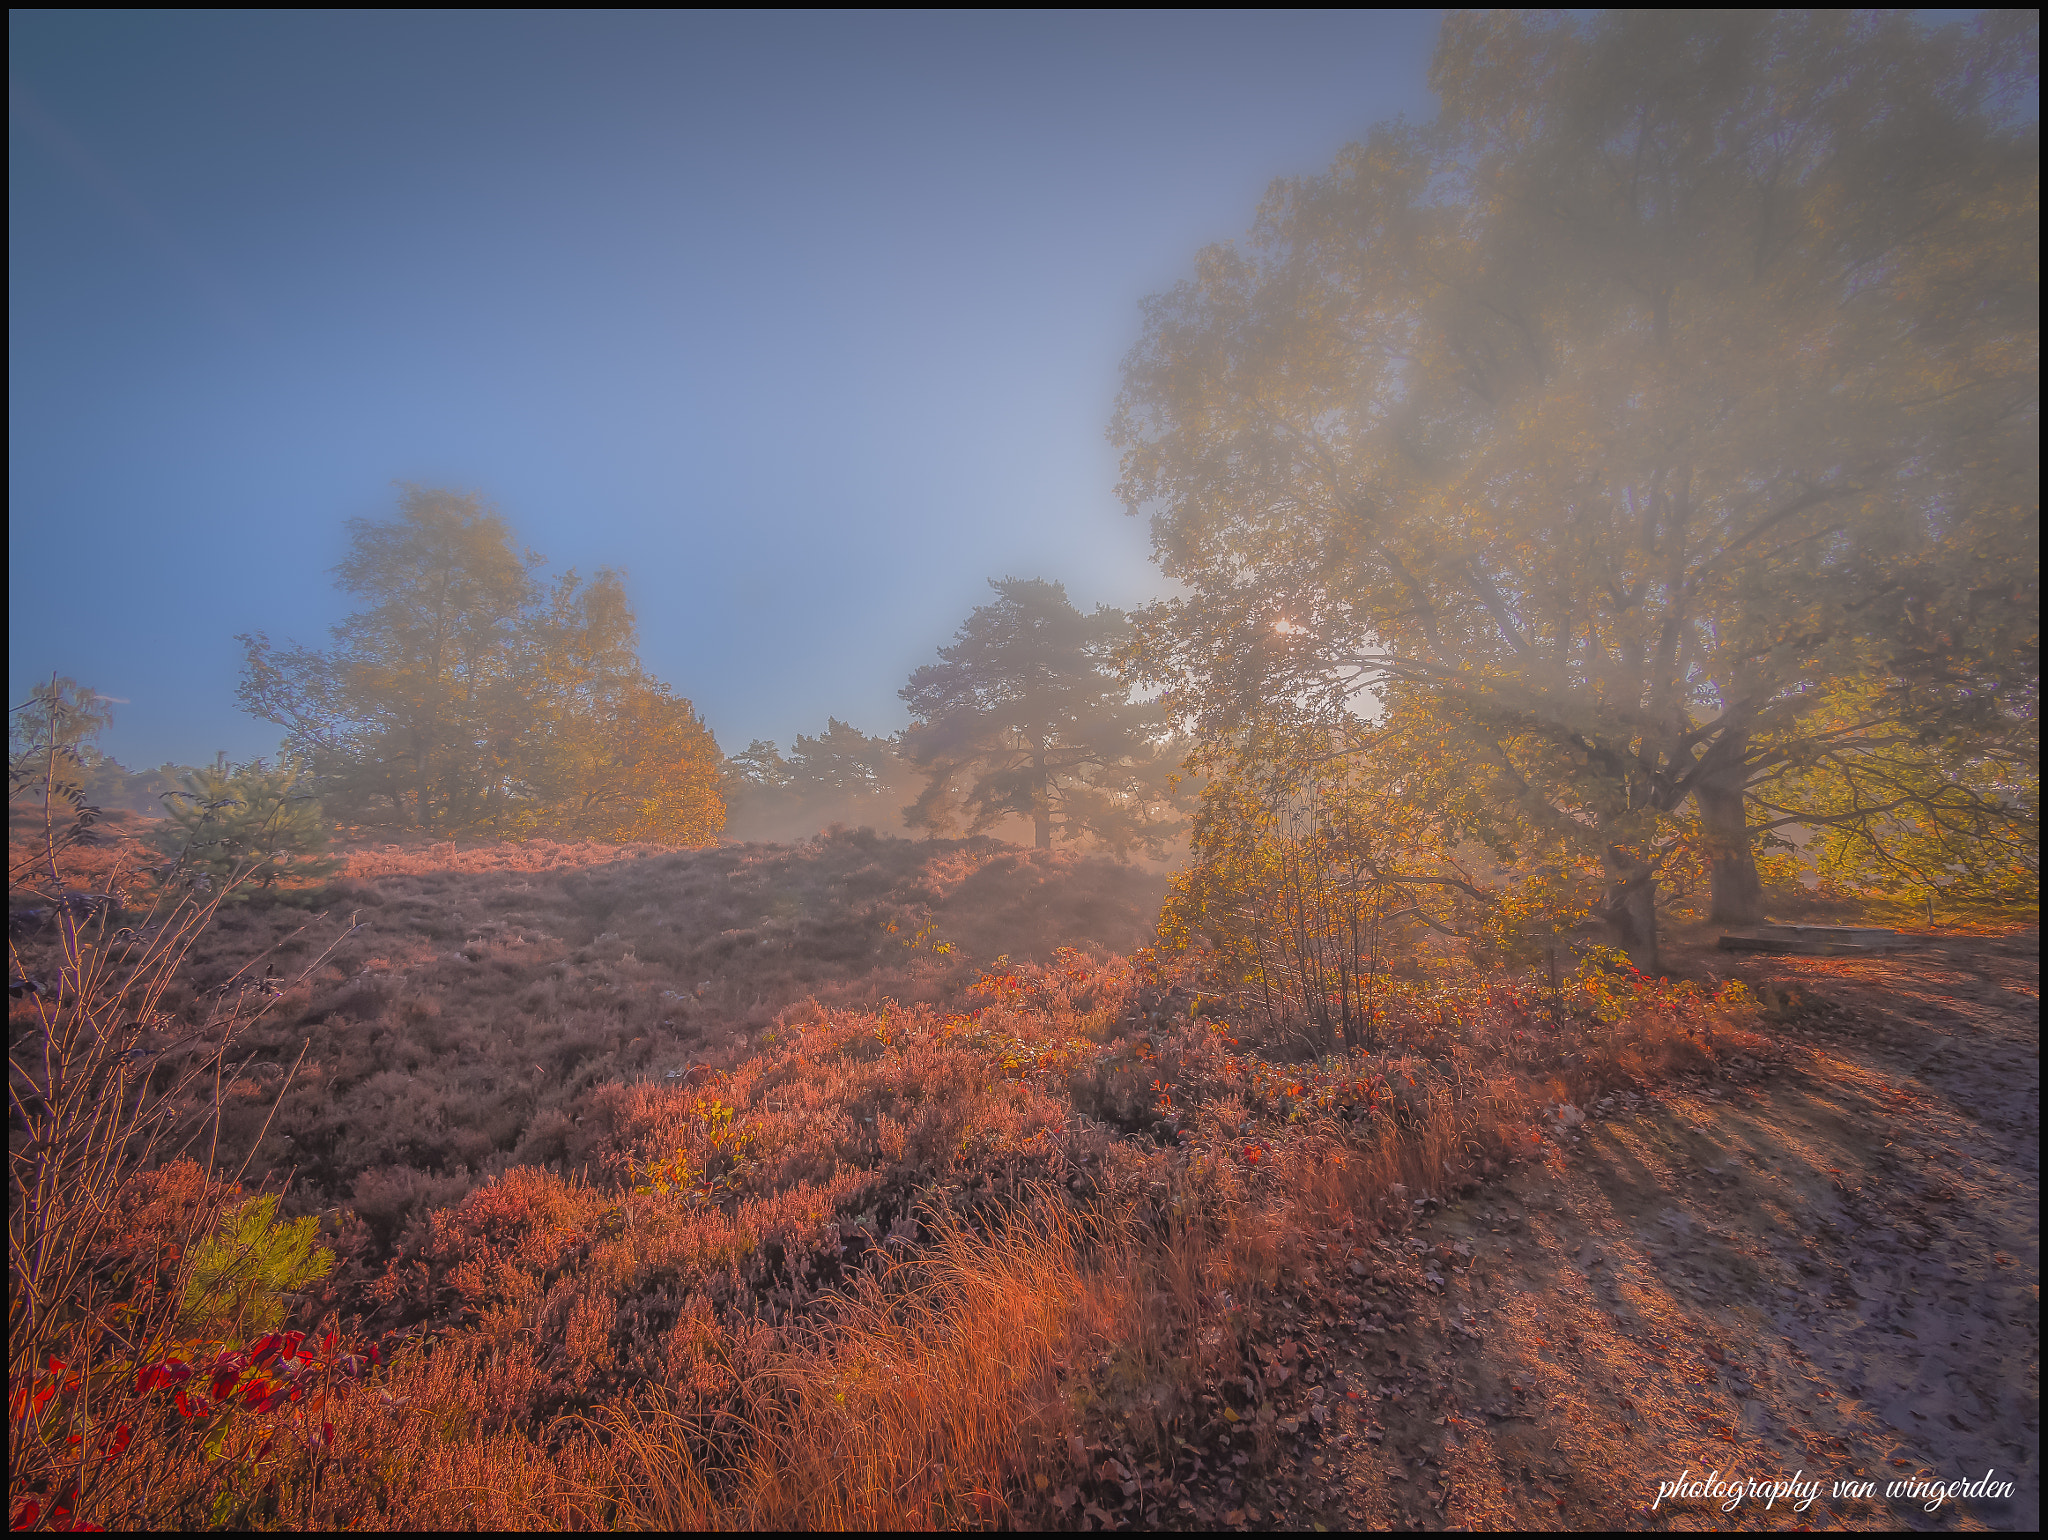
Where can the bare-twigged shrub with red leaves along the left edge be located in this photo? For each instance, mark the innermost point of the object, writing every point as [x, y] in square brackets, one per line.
[118, 1414]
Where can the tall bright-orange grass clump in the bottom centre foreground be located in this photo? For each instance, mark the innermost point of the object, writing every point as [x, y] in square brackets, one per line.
[925, 1398]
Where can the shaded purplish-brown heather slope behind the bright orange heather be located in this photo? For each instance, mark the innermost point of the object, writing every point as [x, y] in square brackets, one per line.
[476, 1000]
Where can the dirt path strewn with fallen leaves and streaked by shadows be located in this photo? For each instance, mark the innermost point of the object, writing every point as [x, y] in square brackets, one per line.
[1828, 1269]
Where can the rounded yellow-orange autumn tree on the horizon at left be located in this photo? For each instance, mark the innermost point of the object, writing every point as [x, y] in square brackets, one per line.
[470, 697]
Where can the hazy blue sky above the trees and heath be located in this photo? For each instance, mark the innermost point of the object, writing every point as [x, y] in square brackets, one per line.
[810, 323]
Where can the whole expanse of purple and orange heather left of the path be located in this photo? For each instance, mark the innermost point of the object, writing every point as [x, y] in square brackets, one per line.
[861, 1228]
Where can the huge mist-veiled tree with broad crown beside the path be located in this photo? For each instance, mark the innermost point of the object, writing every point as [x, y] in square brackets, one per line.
[1672, 388]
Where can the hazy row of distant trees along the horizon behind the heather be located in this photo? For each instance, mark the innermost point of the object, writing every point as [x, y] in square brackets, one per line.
[474, 697]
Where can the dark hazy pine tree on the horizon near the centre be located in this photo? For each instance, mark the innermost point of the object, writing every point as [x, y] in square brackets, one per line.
[1027, 716]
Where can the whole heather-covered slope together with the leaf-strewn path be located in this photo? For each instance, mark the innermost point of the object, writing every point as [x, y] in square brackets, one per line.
[755, 1187]
